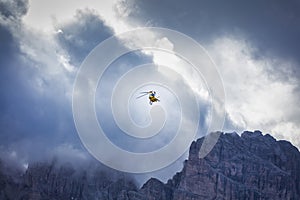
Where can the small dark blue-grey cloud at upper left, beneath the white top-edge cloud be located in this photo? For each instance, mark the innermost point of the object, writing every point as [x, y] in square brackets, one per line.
[82, 34]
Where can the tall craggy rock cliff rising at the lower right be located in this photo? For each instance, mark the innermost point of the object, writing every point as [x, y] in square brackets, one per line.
[252, 166]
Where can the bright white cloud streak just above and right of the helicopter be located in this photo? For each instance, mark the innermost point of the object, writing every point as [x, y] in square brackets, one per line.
[160, 56]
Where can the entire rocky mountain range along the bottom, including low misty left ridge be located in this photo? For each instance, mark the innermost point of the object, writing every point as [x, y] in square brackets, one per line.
[250, 166]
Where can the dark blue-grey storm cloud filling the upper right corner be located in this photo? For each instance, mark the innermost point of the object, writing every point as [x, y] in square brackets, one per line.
[272, 26]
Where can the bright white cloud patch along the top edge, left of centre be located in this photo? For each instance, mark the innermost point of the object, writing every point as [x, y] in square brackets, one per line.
[44, 14]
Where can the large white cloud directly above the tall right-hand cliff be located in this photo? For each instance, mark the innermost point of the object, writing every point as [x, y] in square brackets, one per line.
[255, 100]
